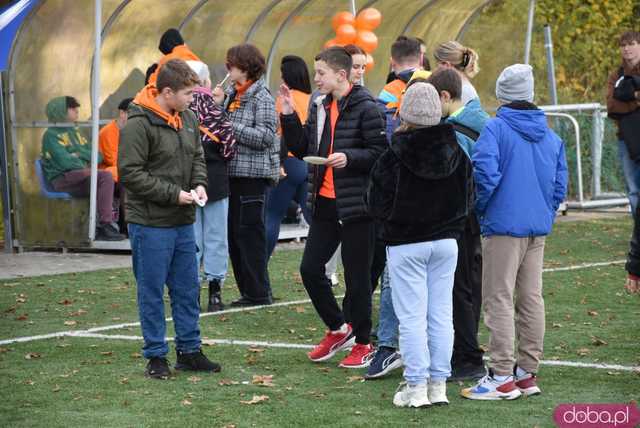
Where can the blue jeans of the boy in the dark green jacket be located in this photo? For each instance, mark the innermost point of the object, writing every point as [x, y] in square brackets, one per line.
[166, 256]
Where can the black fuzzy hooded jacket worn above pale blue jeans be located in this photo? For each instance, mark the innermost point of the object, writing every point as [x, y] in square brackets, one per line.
[420, 188]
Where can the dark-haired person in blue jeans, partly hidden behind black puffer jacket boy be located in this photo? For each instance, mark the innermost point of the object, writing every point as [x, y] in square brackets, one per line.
[293, 184]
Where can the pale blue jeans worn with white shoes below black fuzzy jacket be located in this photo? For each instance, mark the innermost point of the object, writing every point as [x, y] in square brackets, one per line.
[422, 286]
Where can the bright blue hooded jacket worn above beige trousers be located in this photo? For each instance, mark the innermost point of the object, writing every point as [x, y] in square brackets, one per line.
[520, 173]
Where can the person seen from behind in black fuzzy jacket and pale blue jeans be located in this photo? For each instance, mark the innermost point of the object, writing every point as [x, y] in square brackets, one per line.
[424, 163]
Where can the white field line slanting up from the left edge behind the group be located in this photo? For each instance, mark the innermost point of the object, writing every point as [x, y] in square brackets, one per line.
[235, 310]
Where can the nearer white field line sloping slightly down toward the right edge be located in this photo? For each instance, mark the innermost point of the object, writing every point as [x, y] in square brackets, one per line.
[266, 344]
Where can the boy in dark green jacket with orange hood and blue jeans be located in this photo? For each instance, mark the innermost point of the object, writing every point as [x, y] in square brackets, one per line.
[160, 163]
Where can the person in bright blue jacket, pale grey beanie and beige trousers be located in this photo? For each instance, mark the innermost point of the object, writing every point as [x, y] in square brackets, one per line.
[520, 175]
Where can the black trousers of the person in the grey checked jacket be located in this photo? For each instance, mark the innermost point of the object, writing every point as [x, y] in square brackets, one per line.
[248, 237]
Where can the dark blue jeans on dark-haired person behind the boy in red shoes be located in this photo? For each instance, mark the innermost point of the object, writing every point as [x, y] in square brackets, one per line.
[292, 187]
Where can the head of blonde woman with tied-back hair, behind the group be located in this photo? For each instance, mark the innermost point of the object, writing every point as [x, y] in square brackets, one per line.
[464, 60]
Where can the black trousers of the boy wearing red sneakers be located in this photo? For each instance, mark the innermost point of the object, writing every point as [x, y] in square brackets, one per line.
[358, 240]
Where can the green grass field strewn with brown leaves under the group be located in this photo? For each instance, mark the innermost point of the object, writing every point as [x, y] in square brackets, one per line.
[84, 381]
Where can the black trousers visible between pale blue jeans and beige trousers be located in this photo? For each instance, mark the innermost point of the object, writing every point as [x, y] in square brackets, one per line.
[467, 297]
